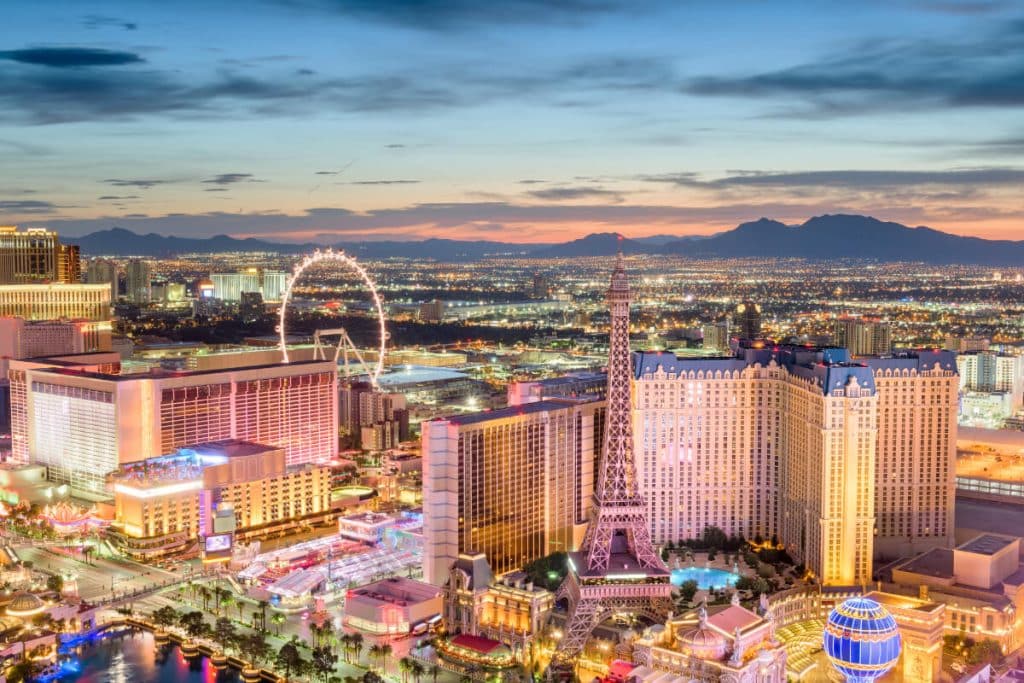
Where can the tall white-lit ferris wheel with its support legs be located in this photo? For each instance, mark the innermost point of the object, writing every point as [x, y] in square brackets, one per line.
[346, 343]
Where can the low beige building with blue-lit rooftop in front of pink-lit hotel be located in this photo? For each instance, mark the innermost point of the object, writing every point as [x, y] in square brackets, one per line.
[224, 488]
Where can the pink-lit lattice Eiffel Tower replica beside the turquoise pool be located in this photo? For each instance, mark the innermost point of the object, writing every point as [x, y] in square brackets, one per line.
[617, 570]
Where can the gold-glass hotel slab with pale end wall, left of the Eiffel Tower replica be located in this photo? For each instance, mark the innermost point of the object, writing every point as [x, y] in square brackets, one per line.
[516, 484]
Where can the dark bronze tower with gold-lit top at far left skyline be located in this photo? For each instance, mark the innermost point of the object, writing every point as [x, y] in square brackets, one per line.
[36, 257]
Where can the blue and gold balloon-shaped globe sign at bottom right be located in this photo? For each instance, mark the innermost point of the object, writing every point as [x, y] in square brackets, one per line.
[862, 641]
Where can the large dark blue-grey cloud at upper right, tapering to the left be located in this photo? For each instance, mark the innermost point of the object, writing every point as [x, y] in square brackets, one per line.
[904, 75]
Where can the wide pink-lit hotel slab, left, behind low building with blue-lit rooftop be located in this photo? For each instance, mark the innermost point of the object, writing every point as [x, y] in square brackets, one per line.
[84, 422]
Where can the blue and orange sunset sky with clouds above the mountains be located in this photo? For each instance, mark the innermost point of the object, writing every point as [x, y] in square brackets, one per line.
[510, 120]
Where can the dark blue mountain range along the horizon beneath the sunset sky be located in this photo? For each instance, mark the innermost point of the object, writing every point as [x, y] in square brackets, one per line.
[822, 238]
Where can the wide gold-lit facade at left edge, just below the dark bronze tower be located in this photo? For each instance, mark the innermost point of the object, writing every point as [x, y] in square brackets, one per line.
[57, 302]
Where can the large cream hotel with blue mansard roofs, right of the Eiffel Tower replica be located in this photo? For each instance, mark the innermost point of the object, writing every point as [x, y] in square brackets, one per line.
[842, 461]
